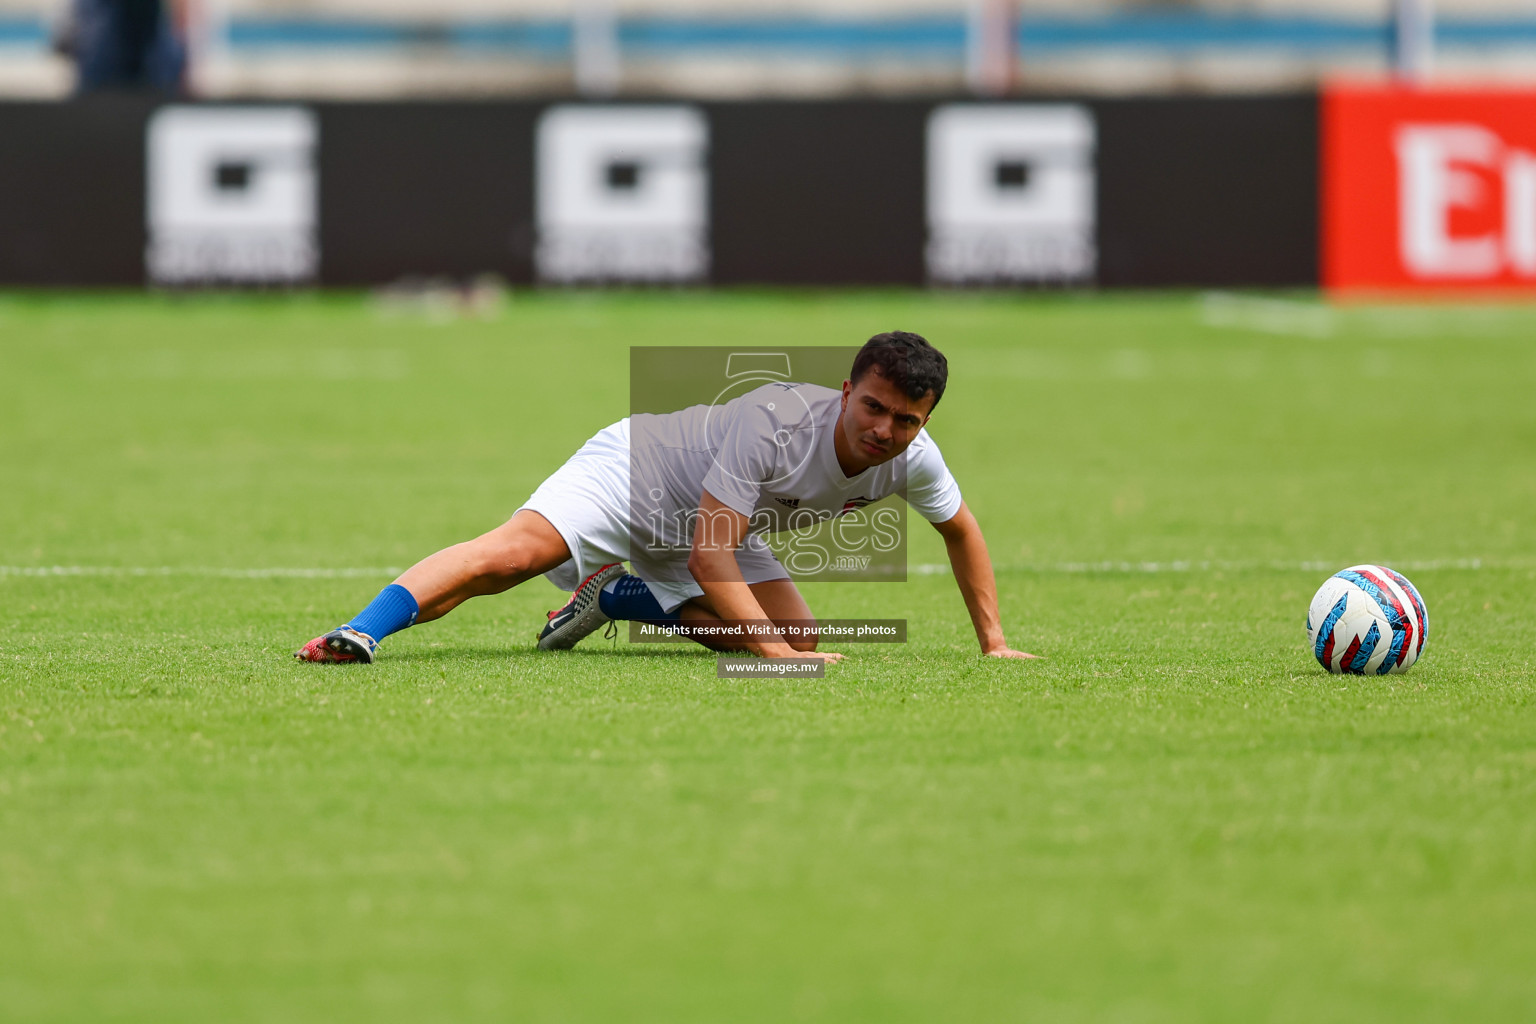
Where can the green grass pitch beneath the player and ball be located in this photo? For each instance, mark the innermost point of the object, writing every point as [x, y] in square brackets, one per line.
[1176, 818]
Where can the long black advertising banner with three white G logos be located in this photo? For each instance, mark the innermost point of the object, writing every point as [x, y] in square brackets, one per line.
[1056, 193]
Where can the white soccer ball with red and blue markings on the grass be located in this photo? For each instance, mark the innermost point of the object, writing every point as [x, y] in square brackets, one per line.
[1368, 621]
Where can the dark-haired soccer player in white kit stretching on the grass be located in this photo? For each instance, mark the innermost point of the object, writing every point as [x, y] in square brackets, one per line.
[686, 498]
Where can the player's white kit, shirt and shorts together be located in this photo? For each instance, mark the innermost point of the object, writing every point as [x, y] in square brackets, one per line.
[634, 491]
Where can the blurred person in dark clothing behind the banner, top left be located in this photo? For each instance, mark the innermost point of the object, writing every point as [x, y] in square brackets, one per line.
[124, 45]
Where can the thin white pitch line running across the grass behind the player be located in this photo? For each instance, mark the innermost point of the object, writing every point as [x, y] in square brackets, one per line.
[927, 569]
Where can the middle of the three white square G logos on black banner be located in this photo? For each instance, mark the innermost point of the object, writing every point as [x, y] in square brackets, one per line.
[623, 194]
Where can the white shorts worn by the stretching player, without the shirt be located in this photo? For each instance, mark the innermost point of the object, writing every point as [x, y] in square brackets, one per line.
[588, 501]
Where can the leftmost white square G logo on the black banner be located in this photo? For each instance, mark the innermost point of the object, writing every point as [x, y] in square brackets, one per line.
[233, 196]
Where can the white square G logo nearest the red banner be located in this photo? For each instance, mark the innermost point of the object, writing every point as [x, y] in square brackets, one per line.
[1011, 194]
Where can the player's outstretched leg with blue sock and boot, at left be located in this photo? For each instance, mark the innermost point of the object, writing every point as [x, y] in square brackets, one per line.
[521, 549]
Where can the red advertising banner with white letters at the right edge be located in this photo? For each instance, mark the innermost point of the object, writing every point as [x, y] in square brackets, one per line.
[1429, 191]
